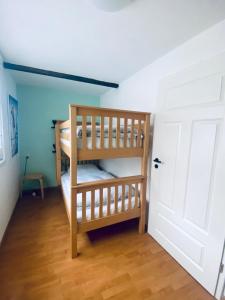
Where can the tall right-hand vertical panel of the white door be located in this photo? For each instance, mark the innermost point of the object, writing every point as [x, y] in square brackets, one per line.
[200, 173]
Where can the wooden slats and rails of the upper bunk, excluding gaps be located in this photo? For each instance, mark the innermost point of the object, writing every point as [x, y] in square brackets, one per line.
[101, 153]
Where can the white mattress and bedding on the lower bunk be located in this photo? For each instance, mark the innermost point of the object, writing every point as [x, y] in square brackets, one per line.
[88, 173]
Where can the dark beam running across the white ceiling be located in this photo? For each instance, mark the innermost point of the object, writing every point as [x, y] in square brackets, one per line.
[59, 75]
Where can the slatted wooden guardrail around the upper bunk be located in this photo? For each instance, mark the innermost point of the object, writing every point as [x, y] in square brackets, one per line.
[103, 133]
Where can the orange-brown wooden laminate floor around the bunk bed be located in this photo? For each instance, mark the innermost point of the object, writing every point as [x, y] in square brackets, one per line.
[115, 262]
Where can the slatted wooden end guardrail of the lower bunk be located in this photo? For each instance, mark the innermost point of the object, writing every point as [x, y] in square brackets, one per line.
[122, 197]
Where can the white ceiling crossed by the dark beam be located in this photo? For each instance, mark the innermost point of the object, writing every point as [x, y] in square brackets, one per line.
[73, 36]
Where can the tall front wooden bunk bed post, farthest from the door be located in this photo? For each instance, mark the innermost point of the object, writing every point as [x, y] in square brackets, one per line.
[73, 179]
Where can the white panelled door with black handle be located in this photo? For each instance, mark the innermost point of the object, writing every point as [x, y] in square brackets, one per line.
[187, 199]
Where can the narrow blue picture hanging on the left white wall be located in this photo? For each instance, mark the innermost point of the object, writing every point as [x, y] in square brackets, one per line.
[13, 123]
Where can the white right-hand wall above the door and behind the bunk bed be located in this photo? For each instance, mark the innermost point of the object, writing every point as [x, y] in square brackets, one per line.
[140, 91]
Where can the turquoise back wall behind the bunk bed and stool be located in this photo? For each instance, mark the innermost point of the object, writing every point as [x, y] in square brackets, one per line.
[38, 107]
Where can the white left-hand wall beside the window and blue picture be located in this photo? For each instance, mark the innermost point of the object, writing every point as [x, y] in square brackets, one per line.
[9, 169]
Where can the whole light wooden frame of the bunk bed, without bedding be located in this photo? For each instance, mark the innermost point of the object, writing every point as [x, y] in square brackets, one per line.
[75, 154]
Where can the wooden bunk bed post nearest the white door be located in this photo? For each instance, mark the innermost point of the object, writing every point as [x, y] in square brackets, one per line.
[144, 171]
